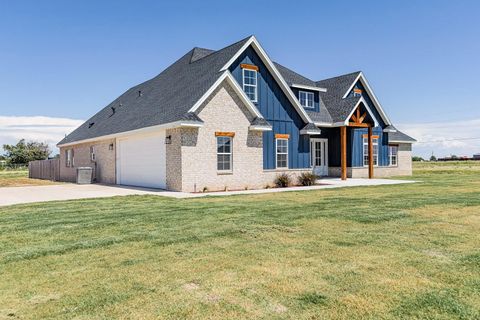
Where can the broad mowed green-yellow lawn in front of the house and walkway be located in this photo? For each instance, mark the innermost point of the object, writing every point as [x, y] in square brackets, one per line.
[386, 252]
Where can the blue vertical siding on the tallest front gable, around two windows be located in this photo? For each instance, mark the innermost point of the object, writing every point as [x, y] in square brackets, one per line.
[275, 107]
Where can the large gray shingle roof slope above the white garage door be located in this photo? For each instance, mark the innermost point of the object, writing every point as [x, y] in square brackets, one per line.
[163, 99]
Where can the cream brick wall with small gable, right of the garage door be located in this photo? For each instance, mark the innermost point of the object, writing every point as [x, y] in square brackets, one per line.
[193, 166]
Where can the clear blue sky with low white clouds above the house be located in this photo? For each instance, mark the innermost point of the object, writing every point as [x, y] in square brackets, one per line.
[66, 60]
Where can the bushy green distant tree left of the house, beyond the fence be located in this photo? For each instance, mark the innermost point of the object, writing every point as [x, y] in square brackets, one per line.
[23, 152]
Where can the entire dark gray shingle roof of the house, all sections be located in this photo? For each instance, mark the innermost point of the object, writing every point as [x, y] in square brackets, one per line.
[168, 96]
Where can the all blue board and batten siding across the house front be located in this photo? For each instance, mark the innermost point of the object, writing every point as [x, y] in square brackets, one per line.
[280, 113]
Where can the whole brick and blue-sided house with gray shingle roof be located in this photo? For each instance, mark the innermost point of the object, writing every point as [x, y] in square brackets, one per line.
[232, 118]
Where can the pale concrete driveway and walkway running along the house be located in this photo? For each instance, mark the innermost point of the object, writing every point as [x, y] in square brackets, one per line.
[17, 195]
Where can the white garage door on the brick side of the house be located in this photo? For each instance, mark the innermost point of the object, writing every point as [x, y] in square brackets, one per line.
[141, 161]
